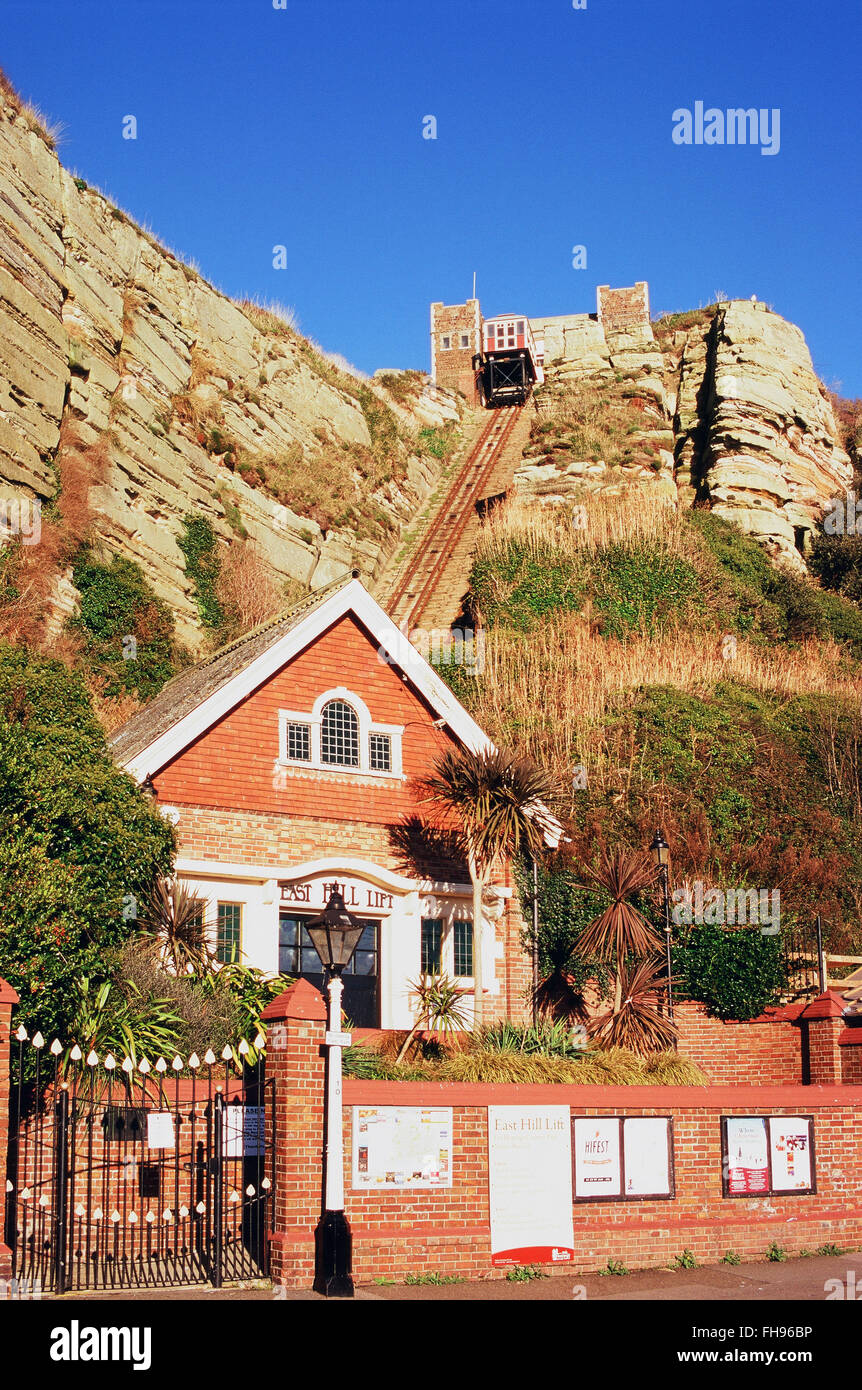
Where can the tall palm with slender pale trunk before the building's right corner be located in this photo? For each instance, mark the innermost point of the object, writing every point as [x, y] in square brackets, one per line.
[497, 800]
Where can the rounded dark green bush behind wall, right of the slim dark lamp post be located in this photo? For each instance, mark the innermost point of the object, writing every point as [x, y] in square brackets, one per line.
[735, 972]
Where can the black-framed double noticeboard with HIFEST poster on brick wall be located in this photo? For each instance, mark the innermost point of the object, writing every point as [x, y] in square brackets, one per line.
[622, 1159]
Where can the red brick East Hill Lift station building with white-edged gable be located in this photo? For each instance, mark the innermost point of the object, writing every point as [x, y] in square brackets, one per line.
[290, 764]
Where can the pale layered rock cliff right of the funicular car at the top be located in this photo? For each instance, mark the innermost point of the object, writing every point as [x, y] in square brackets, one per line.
[729, 412]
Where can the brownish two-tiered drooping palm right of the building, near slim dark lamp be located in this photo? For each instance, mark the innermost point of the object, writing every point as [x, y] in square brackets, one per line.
[621, 931]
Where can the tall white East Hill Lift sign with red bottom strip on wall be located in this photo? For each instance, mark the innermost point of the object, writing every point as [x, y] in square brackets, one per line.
[530, 1185]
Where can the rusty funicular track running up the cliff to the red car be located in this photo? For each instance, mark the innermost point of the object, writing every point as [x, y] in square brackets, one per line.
[426, 566]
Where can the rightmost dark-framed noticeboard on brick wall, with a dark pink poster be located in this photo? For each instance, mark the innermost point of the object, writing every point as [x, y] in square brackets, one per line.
[768, 1156]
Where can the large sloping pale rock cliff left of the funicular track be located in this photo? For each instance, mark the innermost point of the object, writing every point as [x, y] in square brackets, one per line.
[104, 329]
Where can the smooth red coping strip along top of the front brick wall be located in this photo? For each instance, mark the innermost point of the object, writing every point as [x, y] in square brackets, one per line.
[604, 1097]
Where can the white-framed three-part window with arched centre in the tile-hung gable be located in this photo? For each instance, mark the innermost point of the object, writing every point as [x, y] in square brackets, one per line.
[340, 733]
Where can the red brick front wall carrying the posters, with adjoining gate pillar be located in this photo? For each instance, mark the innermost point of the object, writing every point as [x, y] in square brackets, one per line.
[448, 1229]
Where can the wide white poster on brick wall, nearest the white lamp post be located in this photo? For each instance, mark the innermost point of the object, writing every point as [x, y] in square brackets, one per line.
[402, 1146]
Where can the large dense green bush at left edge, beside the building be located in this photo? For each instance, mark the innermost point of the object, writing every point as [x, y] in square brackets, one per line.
[81, 846]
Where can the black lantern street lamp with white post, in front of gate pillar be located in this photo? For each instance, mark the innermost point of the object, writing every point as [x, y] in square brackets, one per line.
[334, 936]
